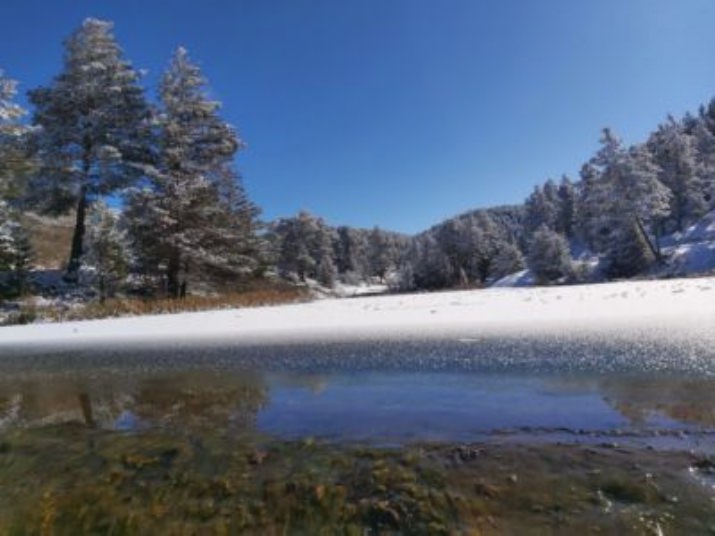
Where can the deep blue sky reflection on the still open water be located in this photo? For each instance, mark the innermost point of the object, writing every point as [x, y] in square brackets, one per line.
[433, 406]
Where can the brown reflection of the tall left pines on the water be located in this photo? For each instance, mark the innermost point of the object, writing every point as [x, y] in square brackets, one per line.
[180, 401]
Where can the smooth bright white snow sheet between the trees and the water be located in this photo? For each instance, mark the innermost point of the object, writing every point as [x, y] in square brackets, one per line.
[674, 309]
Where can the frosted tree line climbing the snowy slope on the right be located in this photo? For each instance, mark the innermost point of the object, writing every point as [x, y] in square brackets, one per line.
[626, 200]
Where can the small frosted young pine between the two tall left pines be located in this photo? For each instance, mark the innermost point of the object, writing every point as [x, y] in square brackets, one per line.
[105, 264]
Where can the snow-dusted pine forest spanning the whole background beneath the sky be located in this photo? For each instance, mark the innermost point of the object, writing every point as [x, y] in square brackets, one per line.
[159, 208]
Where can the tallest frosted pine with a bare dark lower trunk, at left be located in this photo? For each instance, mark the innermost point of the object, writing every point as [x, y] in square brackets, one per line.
[94, 124]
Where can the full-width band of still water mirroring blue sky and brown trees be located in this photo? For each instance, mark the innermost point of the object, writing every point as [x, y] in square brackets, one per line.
[355, 406]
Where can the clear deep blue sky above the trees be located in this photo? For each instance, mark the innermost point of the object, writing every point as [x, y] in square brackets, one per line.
[400, 113]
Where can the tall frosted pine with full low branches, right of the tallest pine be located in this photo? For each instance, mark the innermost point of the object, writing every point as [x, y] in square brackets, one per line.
[194, 219]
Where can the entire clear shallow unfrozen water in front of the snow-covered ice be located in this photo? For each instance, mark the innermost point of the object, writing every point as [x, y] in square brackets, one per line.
[181, 442]
